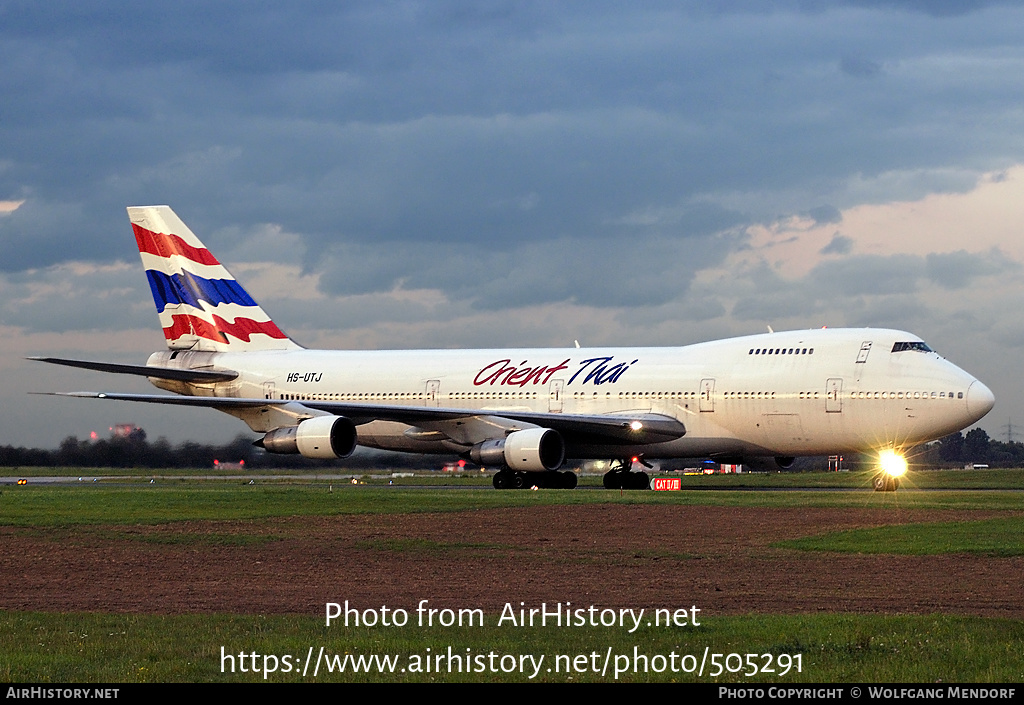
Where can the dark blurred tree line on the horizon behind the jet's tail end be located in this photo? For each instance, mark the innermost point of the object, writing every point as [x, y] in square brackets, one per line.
[136, 451]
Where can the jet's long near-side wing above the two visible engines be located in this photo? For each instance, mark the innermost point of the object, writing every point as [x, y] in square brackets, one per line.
[641, 429]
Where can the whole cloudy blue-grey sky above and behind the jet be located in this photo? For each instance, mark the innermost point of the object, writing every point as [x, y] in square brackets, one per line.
[408, 175]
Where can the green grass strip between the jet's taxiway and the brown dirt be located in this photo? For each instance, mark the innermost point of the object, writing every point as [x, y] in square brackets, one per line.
[61, 506]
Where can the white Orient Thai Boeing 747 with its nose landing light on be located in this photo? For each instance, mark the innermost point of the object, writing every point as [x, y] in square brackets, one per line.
[527, 411]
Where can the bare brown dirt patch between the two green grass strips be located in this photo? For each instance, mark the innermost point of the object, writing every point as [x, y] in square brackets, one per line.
[719, 559]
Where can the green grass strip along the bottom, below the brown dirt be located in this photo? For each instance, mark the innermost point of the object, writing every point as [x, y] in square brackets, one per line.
[45, 648]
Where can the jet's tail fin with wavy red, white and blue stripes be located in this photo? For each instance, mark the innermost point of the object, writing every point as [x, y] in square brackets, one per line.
[201, 306]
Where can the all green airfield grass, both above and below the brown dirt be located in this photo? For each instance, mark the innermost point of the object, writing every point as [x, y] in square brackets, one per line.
[833, 648]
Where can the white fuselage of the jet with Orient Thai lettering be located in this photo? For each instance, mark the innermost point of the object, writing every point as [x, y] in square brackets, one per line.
[788, 394]
